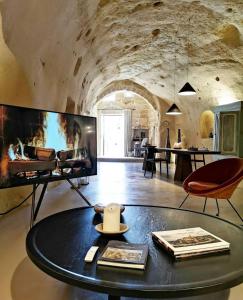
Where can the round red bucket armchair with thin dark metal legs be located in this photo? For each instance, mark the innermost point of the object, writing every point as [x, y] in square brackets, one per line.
[216, 180]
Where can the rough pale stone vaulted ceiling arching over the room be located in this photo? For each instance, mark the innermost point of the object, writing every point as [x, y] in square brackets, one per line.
[77, 48]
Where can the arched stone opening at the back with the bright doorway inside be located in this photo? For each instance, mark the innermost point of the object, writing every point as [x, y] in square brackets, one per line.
[124, 118]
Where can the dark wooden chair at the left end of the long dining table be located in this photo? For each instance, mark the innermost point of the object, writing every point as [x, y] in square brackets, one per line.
[150, 161]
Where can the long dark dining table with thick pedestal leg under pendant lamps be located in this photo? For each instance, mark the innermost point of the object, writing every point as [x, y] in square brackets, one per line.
[183, 160]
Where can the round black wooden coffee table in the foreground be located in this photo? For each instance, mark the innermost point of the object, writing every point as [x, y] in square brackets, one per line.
[58, 245]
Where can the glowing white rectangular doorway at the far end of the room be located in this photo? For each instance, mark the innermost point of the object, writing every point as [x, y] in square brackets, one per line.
[113, 135]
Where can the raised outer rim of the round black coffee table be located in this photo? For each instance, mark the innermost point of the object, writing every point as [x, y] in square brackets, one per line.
[123, 290]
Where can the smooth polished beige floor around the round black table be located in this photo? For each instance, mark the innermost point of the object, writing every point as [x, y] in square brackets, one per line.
[117, 182]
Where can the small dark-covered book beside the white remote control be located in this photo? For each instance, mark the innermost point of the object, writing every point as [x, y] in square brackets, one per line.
[124, 255]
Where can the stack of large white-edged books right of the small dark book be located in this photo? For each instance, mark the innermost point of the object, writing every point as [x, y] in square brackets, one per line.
[189, 242]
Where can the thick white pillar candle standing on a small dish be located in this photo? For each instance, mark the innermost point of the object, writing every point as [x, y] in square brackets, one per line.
[111, 222]
